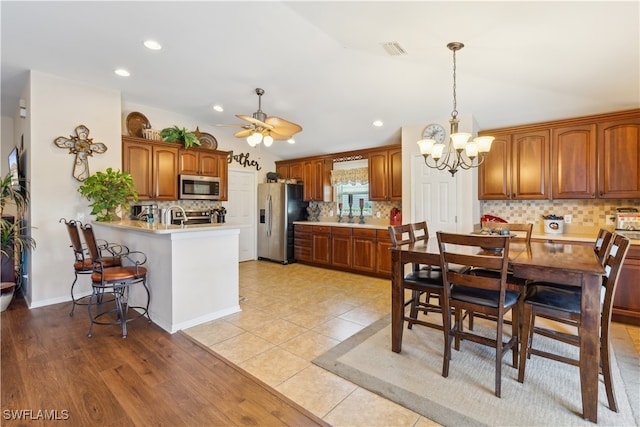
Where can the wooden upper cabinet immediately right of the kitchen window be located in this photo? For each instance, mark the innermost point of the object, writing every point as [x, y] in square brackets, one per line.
[385, 174]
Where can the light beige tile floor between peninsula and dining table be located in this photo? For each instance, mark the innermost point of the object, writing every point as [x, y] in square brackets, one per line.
[292, 314]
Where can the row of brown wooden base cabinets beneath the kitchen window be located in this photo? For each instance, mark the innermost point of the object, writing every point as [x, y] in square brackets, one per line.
[360, 250]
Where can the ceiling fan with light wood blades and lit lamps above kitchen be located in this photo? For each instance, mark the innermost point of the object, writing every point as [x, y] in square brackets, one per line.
[265, 129]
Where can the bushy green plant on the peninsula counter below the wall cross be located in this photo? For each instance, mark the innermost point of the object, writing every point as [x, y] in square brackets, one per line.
[108, 191]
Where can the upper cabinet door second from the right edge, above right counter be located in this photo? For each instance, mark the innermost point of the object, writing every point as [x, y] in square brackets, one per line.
[573, 162]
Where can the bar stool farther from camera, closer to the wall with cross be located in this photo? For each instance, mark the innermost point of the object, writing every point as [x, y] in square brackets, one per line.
[83, 264]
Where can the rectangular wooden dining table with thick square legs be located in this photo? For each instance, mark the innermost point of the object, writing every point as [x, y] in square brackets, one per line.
[566, 263]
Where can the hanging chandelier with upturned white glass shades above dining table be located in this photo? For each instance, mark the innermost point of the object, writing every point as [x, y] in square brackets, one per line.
[458, 152]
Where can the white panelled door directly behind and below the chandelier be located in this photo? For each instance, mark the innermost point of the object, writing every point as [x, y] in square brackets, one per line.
[435, 197]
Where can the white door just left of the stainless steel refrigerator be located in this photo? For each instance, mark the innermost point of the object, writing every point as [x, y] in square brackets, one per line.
[241, 209]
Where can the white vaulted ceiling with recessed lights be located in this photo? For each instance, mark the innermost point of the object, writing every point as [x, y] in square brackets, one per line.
[322, 64]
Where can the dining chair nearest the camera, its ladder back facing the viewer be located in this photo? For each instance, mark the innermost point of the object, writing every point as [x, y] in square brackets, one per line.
[464, 292]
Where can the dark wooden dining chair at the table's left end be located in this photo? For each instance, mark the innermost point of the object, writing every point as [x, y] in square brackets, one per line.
[421, 282]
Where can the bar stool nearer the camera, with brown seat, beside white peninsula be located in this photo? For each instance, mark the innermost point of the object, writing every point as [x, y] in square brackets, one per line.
[117, 280]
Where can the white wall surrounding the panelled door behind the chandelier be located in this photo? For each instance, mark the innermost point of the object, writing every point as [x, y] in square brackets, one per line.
[468, 205]
